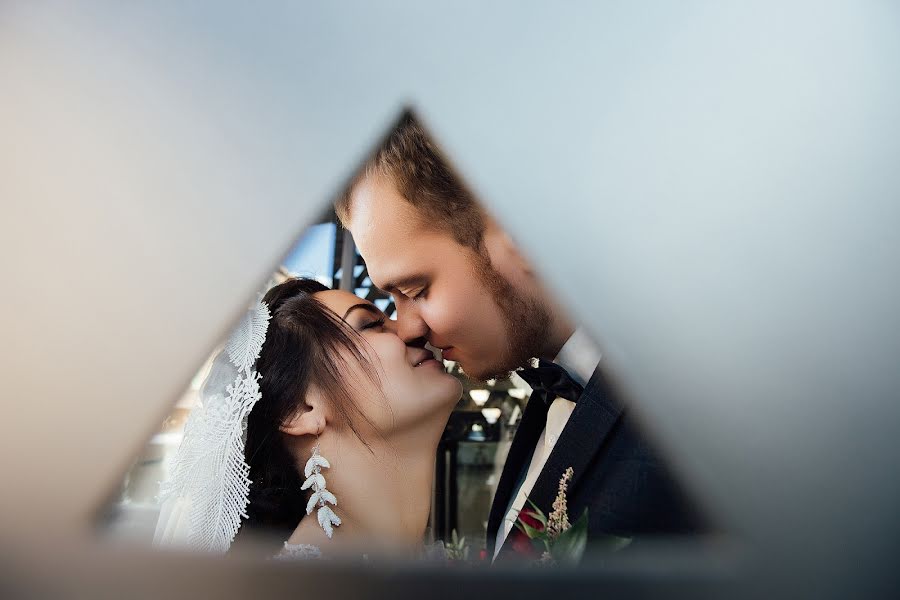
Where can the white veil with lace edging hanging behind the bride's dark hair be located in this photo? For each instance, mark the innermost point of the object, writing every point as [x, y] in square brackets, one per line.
[204, 500]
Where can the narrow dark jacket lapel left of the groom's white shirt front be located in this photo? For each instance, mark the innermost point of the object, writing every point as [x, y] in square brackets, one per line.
[533, 420]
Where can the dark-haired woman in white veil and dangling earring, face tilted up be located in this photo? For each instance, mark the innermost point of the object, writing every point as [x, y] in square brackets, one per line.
[317, 425]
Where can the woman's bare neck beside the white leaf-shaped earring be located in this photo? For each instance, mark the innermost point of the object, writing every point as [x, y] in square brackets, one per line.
[384, 498]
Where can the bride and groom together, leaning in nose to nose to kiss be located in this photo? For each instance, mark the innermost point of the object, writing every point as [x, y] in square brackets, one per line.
[320, 421]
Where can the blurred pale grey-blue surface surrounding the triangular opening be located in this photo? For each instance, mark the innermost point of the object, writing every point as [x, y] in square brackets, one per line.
[727, 172]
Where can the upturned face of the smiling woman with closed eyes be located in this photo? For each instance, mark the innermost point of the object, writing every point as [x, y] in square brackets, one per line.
[417, 388]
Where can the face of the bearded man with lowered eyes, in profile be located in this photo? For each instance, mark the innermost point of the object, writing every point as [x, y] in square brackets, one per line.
[440, 293]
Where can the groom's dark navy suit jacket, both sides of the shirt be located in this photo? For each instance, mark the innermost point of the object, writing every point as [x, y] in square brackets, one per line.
[618, 476]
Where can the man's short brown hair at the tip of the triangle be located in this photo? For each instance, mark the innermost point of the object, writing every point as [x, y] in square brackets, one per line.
[414, 164]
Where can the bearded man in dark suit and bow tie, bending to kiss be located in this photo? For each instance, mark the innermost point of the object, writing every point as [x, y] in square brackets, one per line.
[460, 283]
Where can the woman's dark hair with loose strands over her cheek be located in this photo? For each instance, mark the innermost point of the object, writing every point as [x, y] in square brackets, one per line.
[306, 343]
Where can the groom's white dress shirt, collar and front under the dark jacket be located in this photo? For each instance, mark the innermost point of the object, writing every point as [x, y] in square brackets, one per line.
[579, 357]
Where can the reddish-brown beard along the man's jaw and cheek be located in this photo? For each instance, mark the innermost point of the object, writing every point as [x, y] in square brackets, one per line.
[526, 320]
